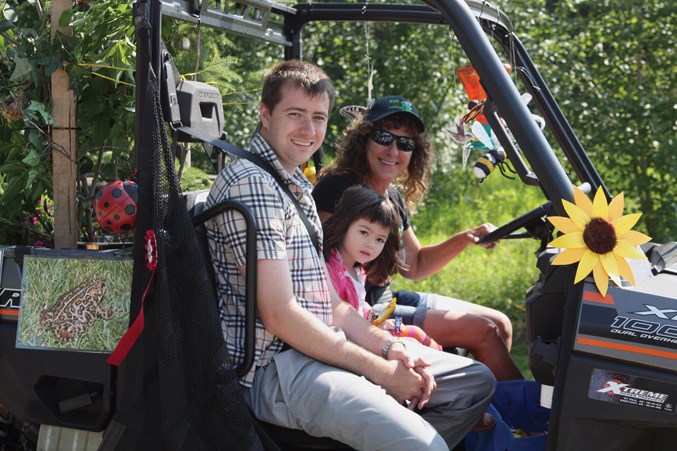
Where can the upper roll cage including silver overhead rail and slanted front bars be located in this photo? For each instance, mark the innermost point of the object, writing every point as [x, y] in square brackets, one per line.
[471, 21]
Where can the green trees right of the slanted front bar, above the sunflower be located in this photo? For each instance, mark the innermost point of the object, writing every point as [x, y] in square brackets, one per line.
[611, 66]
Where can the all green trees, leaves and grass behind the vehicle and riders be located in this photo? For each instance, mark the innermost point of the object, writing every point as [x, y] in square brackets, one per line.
[610, 64]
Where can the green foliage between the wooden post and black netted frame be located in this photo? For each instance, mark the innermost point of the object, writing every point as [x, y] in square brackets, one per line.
[101, 68]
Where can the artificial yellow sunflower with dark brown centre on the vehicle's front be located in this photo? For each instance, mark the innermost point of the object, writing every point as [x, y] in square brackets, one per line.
[599, 238]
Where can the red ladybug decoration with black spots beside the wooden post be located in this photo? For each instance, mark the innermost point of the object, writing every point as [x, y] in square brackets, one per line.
[115, 206]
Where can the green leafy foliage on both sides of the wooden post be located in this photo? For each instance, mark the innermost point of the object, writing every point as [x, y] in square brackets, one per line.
[98, 58]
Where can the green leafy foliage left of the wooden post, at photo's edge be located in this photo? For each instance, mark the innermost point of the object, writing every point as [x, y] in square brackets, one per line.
[24, 117]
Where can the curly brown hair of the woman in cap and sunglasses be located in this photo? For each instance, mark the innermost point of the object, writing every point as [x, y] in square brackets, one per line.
[351, 156]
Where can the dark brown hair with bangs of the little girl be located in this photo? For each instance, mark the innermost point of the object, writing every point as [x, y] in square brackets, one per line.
[361, 202]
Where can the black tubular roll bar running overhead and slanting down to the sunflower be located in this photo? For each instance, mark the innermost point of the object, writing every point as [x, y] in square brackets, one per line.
[470, 21]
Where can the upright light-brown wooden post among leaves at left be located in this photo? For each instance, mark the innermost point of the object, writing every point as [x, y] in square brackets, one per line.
[64, 146]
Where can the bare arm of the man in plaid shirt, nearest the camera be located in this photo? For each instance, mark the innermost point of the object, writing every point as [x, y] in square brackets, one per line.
[284, 318]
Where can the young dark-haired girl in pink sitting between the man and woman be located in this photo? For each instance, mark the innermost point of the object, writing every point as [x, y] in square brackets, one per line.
[362, 239]
